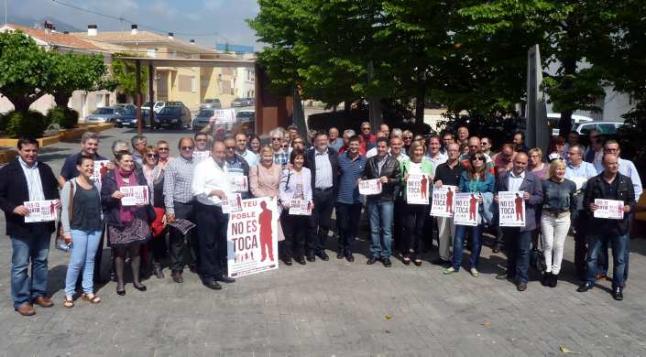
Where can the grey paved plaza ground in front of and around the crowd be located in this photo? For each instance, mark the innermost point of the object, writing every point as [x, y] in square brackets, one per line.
[330, 308]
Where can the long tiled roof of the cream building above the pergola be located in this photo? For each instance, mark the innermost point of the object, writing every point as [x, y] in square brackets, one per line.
[126, 38]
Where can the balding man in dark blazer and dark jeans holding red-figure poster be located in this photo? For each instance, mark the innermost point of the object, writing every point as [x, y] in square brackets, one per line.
[518, 239]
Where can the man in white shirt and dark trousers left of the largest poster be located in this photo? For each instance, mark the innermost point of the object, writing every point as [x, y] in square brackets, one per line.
[209, 189]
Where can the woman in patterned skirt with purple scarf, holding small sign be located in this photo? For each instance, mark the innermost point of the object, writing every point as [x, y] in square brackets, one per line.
[127, 225]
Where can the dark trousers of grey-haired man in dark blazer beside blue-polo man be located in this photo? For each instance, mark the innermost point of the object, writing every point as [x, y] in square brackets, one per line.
[320, 220]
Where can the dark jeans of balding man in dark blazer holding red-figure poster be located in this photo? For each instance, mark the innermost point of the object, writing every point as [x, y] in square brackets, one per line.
[517, 244]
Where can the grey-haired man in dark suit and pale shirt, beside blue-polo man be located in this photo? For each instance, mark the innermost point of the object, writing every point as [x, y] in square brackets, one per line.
[323, 162]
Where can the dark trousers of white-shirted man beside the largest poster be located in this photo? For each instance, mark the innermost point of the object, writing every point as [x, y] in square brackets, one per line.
[212, 239]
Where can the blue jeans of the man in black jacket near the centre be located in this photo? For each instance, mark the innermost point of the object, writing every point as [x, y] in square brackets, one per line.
[381, 227]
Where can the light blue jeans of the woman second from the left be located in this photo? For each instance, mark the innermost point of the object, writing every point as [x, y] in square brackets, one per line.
[83, 252]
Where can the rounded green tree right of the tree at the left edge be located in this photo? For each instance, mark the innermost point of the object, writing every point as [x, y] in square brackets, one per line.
[72, 72]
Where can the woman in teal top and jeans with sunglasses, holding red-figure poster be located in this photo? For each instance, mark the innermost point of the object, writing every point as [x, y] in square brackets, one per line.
[476, 180]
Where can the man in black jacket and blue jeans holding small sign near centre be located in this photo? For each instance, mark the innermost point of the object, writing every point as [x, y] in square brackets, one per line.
[380, 206]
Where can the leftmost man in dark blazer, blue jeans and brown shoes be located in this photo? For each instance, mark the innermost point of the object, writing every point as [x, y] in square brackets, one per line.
[27, 179]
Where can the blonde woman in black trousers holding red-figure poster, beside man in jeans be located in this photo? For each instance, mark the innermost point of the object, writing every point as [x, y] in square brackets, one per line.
[417, 176]
